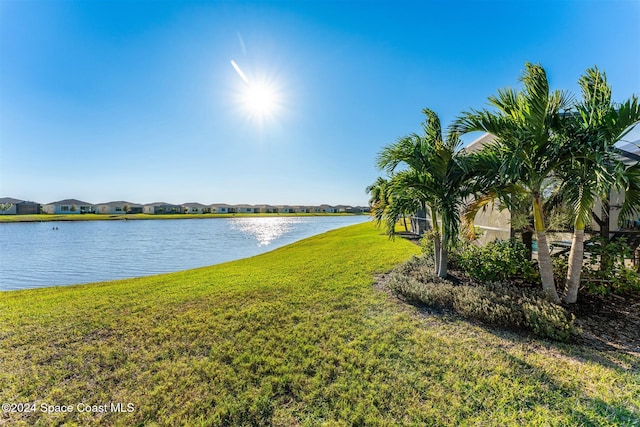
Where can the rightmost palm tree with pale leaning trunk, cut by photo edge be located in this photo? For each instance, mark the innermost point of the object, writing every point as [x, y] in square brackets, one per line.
[593, 167]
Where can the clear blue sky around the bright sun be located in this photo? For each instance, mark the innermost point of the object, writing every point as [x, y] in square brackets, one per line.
[138, 100]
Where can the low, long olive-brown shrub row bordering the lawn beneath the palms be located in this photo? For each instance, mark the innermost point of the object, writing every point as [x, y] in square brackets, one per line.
[499, 303]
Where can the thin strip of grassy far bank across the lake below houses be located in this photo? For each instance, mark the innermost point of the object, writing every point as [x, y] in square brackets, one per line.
[9, 219]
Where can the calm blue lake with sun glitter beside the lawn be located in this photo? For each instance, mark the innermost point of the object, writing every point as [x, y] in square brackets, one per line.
[36, 255]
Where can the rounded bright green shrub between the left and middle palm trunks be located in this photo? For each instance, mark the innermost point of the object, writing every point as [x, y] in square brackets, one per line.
[499, 260]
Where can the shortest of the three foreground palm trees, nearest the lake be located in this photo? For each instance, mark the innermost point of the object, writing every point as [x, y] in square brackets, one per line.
[435, 174]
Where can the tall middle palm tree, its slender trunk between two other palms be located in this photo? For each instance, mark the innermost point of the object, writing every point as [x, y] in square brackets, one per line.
[526, 125]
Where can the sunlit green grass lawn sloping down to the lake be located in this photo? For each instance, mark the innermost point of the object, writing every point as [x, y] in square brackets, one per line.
[297, 336]
